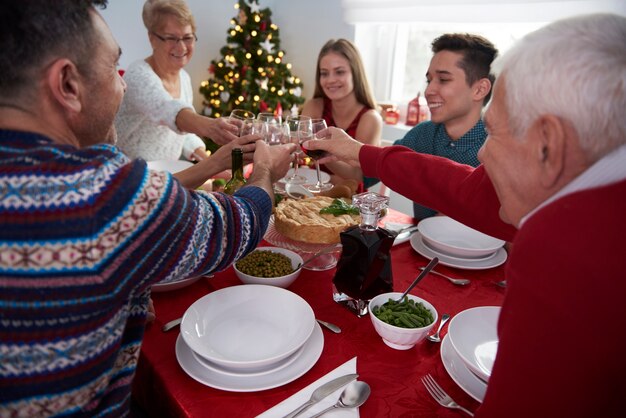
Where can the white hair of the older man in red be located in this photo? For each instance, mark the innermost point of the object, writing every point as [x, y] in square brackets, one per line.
[575, 69]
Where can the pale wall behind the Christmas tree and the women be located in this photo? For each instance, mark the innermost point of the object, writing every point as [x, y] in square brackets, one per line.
[304, 26]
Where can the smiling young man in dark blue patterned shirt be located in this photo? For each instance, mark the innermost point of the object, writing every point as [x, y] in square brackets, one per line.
[459, 85]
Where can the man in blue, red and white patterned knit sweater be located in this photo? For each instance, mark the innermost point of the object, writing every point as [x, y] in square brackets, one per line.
[84, 231]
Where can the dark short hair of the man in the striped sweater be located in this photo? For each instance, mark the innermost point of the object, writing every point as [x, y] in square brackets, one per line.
[35, 31]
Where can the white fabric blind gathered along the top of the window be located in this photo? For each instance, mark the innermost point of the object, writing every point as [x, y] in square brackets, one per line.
[398, 11]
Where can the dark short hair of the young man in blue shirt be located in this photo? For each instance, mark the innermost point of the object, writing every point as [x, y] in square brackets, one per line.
[478, 54]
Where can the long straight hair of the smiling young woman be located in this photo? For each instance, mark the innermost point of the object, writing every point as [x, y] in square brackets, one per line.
[345, 48]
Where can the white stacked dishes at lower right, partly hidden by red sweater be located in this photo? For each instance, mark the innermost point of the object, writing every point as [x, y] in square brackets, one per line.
[469, 349]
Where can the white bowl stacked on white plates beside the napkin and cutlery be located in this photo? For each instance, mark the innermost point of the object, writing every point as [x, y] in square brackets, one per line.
[248, 338]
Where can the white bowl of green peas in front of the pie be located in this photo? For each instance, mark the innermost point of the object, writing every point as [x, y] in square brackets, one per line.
[271, 266]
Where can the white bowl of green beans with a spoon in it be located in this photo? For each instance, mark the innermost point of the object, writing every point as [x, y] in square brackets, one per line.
[402, 324]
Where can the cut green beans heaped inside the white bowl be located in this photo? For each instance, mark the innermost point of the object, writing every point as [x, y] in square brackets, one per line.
[404, 314]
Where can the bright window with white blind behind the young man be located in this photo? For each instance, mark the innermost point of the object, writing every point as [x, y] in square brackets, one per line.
[394, 36]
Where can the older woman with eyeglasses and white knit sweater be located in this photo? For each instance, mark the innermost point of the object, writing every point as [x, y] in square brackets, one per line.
[157, 120]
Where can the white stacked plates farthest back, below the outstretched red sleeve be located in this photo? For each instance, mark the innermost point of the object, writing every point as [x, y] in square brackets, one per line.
[457, 245]
